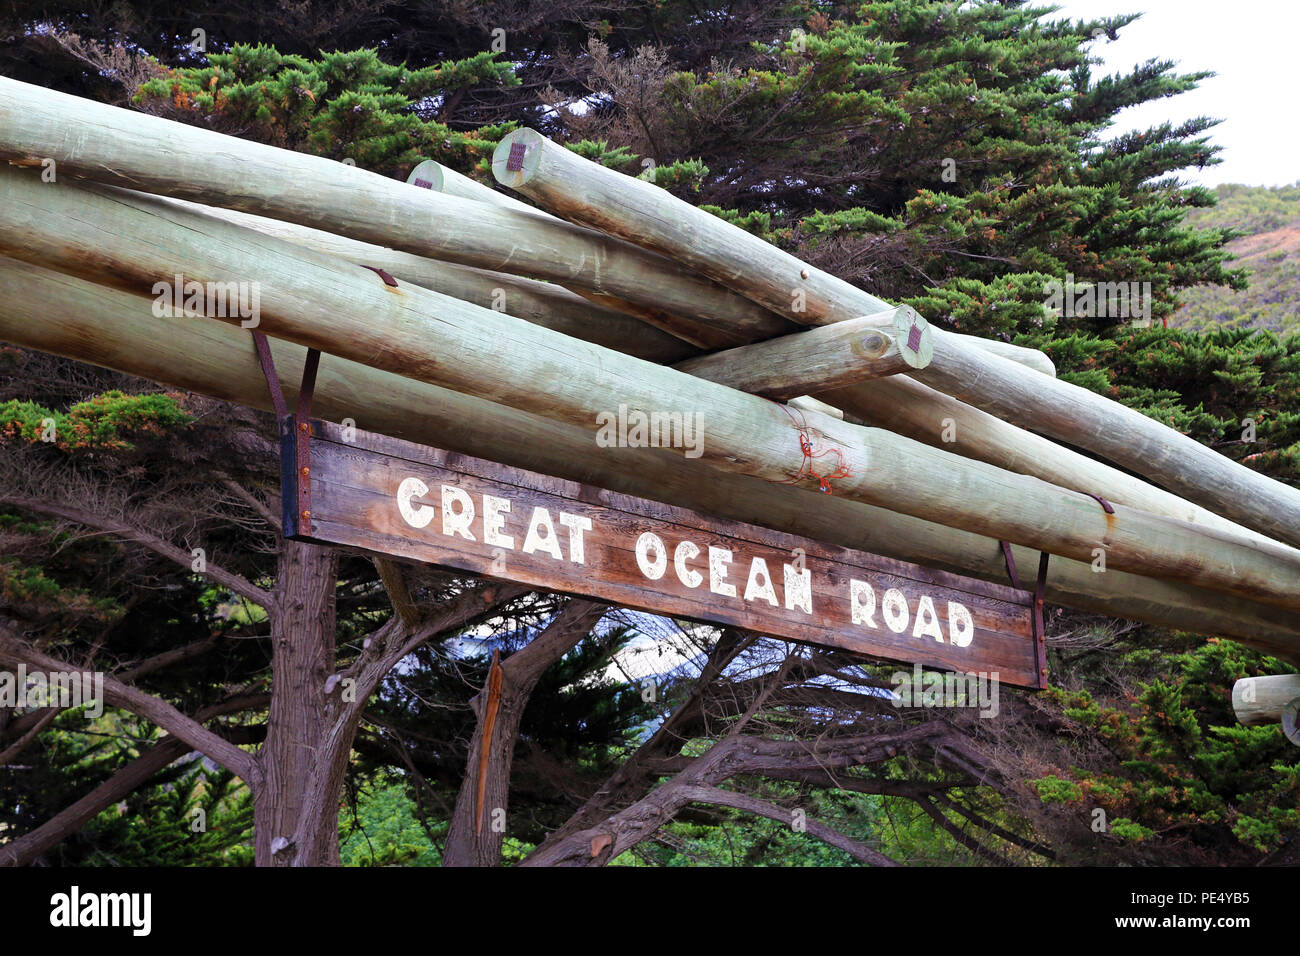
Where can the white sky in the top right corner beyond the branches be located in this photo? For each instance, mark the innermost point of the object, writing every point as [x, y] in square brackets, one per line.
[1251, 45]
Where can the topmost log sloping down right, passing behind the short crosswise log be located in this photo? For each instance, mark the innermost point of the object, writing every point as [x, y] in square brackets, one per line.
[622, 206]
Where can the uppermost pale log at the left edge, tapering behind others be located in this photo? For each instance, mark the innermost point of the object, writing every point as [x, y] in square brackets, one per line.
[102, 144]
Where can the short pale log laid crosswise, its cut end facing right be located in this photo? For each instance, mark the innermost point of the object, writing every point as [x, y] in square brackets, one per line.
[826, 358]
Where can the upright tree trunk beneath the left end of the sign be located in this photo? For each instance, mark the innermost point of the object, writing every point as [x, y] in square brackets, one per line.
[302, 657]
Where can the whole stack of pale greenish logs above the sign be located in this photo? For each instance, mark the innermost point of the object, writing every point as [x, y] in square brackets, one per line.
[508, 328]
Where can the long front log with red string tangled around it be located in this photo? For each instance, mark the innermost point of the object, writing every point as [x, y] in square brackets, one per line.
[319, 302]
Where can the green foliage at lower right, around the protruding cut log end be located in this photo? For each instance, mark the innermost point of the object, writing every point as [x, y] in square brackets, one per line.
[1182, 769]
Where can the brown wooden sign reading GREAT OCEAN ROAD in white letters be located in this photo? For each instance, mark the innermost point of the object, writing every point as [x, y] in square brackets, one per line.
[396, 499]
